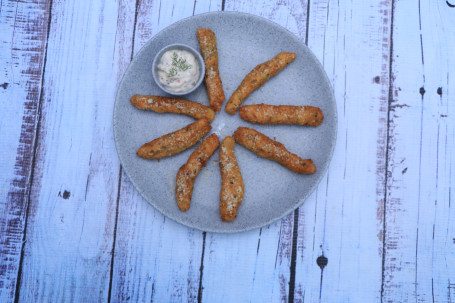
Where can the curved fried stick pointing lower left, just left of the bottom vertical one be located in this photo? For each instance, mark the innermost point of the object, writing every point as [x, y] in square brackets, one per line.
[188, 172]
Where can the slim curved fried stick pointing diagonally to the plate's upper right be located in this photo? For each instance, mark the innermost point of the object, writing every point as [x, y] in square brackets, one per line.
[256, 78]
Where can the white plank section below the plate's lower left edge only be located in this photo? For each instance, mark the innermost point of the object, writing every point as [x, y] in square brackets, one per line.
[155, 258]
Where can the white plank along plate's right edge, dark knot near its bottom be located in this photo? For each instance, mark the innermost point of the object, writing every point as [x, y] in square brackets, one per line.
[341, 224]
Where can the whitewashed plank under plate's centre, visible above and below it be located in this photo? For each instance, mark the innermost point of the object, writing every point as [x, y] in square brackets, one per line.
[259, 266]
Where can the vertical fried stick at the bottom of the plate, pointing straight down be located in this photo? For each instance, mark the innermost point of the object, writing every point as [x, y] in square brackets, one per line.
[232, 187]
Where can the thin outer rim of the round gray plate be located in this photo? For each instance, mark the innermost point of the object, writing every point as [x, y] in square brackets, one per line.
[304, 197]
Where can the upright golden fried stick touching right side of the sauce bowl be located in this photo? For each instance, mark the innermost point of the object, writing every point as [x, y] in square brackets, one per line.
[207, 44]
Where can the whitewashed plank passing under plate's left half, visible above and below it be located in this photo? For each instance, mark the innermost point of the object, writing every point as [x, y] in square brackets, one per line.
[155, 259]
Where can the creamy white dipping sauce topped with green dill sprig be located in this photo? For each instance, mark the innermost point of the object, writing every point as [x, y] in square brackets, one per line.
[178, 70]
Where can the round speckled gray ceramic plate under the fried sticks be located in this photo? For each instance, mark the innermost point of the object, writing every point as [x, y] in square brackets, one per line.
[271, 191]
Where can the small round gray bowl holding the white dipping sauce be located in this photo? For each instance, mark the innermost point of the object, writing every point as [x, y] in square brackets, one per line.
[178, 46]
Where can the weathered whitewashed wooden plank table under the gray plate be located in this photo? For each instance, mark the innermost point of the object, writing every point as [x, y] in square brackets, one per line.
[379, 228]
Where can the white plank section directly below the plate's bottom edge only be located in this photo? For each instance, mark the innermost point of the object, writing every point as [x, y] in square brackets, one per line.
[258, 263]
